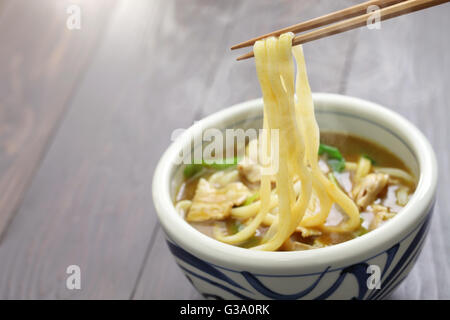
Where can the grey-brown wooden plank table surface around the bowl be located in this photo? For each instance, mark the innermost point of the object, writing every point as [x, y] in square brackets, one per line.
[86, 113]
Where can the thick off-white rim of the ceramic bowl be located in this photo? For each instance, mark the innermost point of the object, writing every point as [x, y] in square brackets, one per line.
[234, 258]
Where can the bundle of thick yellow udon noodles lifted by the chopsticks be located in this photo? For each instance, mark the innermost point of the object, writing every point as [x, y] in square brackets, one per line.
[303, 194]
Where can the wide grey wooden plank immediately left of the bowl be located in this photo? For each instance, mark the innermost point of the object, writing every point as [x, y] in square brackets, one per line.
[90, 202]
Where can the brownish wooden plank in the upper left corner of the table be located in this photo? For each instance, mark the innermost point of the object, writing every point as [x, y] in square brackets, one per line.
[41, 62]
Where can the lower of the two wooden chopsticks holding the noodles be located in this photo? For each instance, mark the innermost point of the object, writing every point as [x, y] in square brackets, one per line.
[386, 13]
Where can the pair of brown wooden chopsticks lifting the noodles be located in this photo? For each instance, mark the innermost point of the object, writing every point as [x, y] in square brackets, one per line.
[386, 13]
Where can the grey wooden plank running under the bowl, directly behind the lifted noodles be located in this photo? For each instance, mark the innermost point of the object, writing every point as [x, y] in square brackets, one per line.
[232, 82]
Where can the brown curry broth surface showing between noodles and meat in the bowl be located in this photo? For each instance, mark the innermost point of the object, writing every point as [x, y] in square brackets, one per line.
[352, 149]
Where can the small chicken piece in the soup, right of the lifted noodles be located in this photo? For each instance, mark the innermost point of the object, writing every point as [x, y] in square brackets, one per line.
[368, 188]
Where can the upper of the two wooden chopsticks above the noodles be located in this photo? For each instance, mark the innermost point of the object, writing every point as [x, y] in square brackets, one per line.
[330, 18]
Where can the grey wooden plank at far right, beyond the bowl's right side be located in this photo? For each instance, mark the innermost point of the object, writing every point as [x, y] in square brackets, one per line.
[405, 66]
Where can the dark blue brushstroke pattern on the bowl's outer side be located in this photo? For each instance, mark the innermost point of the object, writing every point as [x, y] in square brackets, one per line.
[202, 271]
